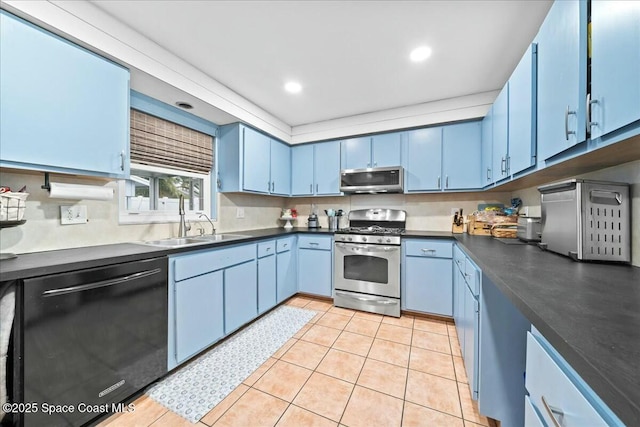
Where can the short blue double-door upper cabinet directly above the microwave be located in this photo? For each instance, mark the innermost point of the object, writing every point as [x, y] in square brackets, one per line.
[380, 150]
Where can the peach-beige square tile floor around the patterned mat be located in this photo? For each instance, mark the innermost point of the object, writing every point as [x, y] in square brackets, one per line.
[345, 368]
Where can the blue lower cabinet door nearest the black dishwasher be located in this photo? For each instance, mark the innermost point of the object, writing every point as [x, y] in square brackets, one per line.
[199, 319]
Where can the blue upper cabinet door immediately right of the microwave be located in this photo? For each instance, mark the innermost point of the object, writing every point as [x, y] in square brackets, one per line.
[424, 159]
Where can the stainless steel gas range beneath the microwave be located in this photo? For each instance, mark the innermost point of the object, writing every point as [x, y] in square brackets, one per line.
[367, 261]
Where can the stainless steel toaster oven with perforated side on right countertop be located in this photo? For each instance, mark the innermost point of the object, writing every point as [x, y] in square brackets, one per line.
[587, 220]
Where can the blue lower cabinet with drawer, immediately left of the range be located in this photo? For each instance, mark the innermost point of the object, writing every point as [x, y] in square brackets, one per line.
[315, 272]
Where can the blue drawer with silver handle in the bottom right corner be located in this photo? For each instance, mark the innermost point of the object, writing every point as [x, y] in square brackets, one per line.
[546, 380]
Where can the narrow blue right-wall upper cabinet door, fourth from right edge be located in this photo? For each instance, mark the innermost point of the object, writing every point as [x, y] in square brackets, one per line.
[500, 133]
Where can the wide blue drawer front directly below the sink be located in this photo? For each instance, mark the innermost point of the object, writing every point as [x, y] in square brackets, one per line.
[193, 265]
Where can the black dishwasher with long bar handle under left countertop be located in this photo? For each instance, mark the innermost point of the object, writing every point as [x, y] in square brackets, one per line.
[92, 338]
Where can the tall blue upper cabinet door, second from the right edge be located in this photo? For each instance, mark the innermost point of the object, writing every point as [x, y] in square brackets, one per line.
[562, 78]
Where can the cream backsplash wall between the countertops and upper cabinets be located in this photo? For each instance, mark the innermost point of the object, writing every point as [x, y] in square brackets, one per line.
[43, 230]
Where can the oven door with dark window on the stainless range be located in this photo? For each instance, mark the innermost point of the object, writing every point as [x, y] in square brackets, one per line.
[369, 269]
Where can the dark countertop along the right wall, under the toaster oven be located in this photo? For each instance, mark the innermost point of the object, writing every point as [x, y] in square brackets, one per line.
[589, 312]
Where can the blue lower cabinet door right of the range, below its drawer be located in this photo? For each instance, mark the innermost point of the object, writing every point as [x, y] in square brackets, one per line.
[428, 285]
